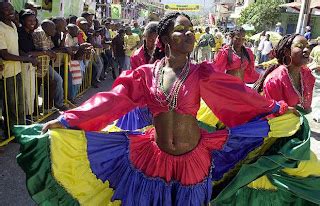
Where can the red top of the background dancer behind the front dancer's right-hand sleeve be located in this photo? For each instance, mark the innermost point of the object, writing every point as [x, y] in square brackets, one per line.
[222, 64]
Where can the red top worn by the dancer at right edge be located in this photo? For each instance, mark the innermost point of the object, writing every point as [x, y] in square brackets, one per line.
[279, 86]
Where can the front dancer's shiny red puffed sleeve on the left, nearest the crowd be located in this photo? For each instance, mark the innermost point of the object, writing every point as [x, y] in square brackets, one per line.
[95, 114]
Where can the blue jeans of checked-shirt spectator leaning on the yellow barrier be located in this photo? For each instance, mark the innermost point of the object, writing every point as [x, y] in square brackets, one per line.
[58, 95]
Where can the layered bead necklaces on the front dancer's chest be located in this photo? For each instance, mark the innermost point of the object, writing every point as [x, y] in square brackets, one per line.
[171, 98]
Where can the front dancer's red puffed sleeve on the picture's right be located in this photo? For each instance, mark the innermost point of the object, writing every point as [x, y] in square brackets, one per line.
[230, 99]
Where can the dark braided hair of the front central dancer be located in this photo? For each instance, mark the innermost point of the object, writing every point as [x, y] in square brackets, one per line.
[164, 27]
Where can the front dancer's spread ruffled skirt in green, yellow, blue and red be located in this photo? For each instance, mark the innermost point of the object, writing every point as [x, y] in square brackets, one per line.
[244, 165]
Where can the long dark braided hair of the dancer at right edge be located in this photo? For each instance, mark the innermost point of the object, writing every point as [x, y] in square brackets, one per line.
[283, 45]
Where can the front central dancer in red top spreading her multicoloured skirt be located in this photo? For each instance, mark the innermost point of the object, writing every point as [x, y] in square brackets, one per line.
[175, 162]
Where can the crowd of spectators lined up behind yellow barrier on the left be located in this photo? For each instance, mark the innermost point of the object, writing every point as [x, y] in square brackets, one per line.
[104, 44]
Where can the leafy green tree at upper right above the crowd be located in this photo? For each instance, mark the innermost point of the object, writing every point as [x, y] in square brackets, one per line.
[263, 14]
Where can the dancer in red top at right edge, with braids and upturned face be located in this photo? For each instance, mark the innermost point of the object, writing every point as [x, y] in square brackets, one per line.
[291, 81]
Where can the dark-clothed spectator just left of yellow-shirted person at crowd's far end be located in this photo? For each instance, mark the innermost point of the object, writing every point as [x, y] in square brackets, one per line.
[118, 49]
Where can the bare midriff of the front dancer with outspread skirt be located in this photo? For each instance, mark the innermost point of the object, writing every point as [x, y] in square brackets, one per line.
[176, 134]
